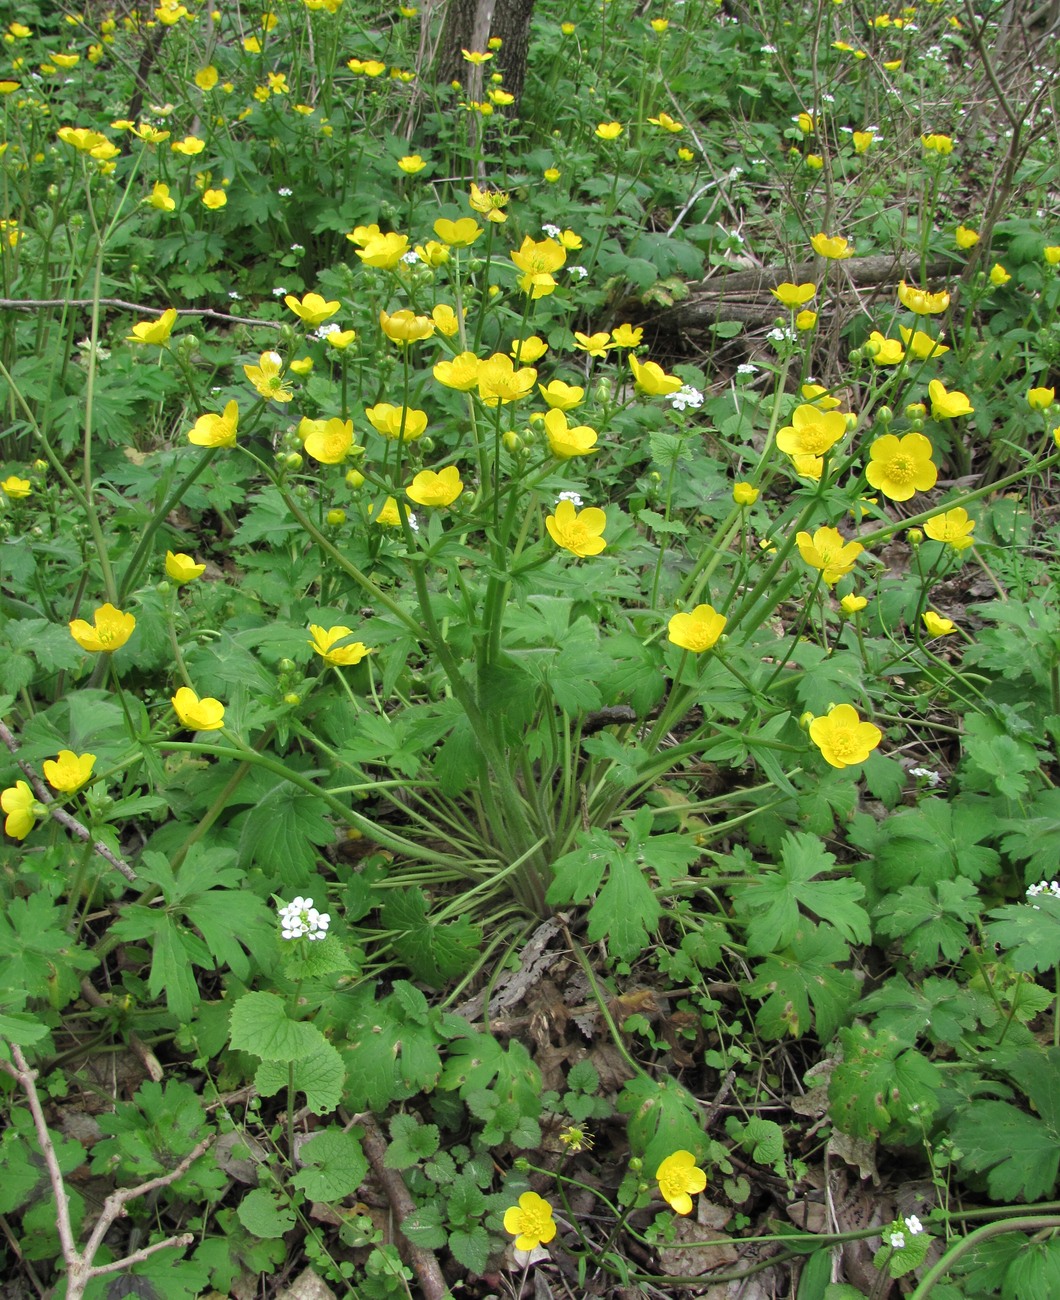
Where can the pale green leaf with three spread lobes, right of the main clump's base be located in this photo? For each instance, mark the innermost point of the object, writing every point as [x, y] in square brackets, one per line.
[773, 902]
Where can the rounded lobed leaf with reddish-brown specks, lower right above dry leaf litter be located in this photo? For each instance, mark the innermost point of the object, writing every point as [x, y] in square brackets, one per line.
[881, 1084]
